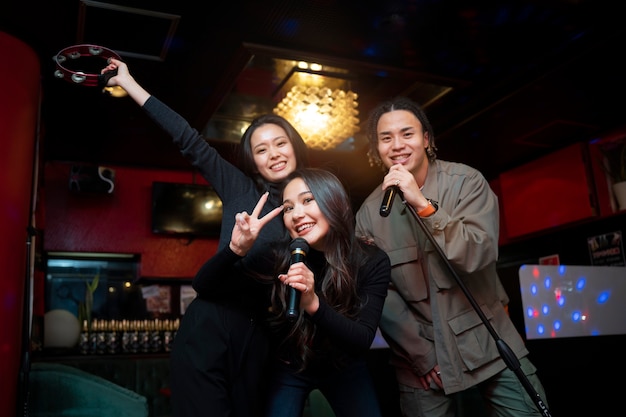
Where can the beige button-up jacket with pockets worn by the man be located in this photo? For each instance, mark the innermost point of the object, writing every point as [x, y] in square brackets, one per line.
[427, 318]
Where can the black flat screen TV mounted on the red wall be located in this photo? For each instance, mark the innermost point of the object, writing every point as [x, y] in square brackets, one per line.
[185, 209]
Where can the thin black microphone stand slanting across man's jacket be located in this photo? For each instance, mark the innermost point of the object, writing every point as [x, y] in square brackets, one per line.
[505, 351]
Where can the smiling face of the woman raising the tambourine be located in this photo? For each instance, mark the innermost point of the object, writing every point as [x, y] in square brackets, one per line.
[273, 152]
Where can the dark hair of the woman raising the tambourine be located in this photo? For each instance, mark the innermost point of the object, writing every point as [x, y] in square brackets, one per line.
[245, 157]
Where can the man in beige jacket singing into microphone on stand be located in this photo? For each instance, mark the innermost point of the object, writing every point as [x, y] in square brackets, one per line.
[440, 347]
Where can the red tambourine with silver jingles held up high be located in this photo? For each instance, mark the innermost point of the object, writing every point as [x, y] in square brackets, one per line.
[81, 64]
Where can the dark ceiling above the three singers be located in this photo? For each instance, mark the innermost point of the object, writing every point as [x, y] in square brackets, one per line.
[503, 82]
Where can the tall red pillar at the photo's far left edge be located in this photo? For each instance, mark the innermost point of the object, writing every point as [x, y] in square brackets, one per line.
[19, 106]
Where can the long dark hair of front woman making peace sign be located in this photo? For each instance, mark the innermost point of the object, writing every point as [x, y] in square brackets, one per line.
[343, 255]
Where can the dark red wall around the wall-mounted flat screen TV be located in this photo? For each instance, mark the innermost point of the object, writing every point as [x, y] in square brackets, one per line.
[119, 222]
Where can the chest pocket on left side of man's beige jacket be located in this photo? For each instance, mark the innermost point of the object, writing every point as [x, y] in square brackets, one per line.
[407, 275]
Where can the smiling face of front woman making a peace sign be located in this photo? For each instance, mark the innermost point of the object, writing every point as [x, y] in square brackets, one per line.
[302, 216]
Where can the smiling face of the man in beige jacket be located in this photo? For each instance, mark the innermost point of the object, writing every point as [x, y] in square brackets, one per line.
[402, 140]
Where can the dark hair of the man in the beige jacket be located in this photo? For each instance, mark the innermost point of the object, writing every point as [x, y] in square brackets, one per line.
[397, 103]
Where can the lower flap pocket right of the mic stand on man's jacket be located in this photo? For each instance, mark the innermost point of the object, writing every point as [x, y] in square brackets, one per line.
[473, 340]
